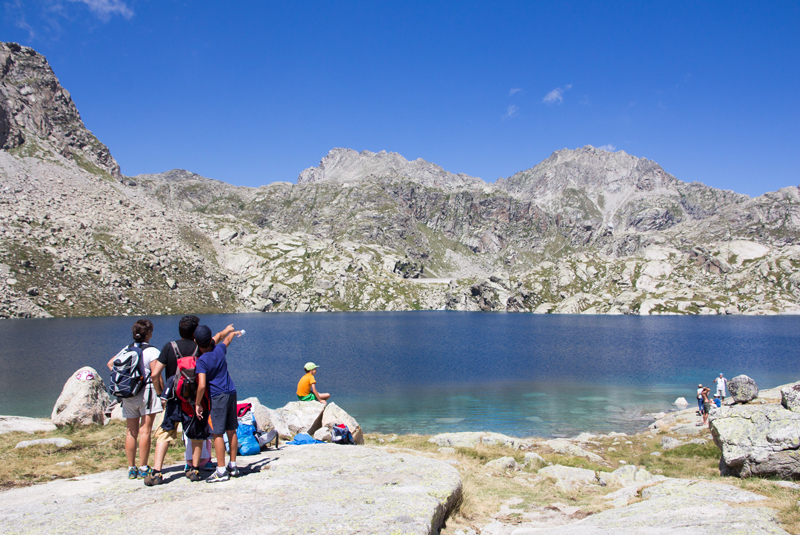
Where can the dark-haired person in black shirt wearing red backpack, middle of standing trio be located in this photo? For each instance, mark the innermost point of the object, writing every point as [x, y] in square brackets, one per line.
[174, 413]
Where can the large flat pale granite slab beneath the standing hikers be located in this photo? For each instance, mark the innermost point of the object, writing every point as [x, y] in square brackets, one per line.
[324, 489]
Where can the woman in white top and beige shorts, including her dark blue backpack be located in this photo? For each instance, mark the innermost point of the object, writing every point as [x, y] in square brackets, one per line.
[131, 383]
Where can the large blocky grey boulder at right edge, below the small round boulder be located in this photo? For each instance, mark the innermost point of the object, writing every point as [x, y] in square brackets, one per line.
[761, 440]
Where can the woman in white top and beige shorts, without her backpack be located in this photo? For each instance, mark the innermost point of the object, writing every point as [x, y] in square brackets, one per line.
[140, 410]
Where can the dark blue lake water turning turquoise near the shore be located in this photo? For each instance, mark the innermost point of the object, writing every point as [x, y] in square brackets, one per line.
[429, 372]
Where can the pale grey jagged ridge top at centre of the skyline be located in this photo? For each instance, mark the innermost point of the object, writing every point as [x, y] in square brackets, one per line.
[347, 166]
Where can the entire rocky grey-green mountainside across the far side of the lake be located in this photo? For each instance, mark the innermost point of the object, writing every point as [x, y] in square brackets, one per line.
[585, 231]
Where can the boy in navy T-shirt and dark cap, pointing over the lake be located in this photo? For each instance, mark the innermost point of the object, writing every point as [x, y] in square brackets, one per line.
[213, 378]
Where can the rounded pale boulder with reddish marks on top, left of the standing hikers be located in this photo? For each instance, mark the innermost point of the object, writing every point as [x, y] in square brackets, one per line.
[82, 401]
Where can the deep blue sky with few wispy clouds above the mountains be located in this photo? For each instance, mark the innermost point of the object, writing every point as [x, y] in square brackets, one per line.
[252, 92]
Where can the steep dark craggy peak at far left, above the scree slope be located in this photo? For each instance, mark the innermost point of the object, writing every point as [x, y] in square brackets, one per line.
[36, 113]
